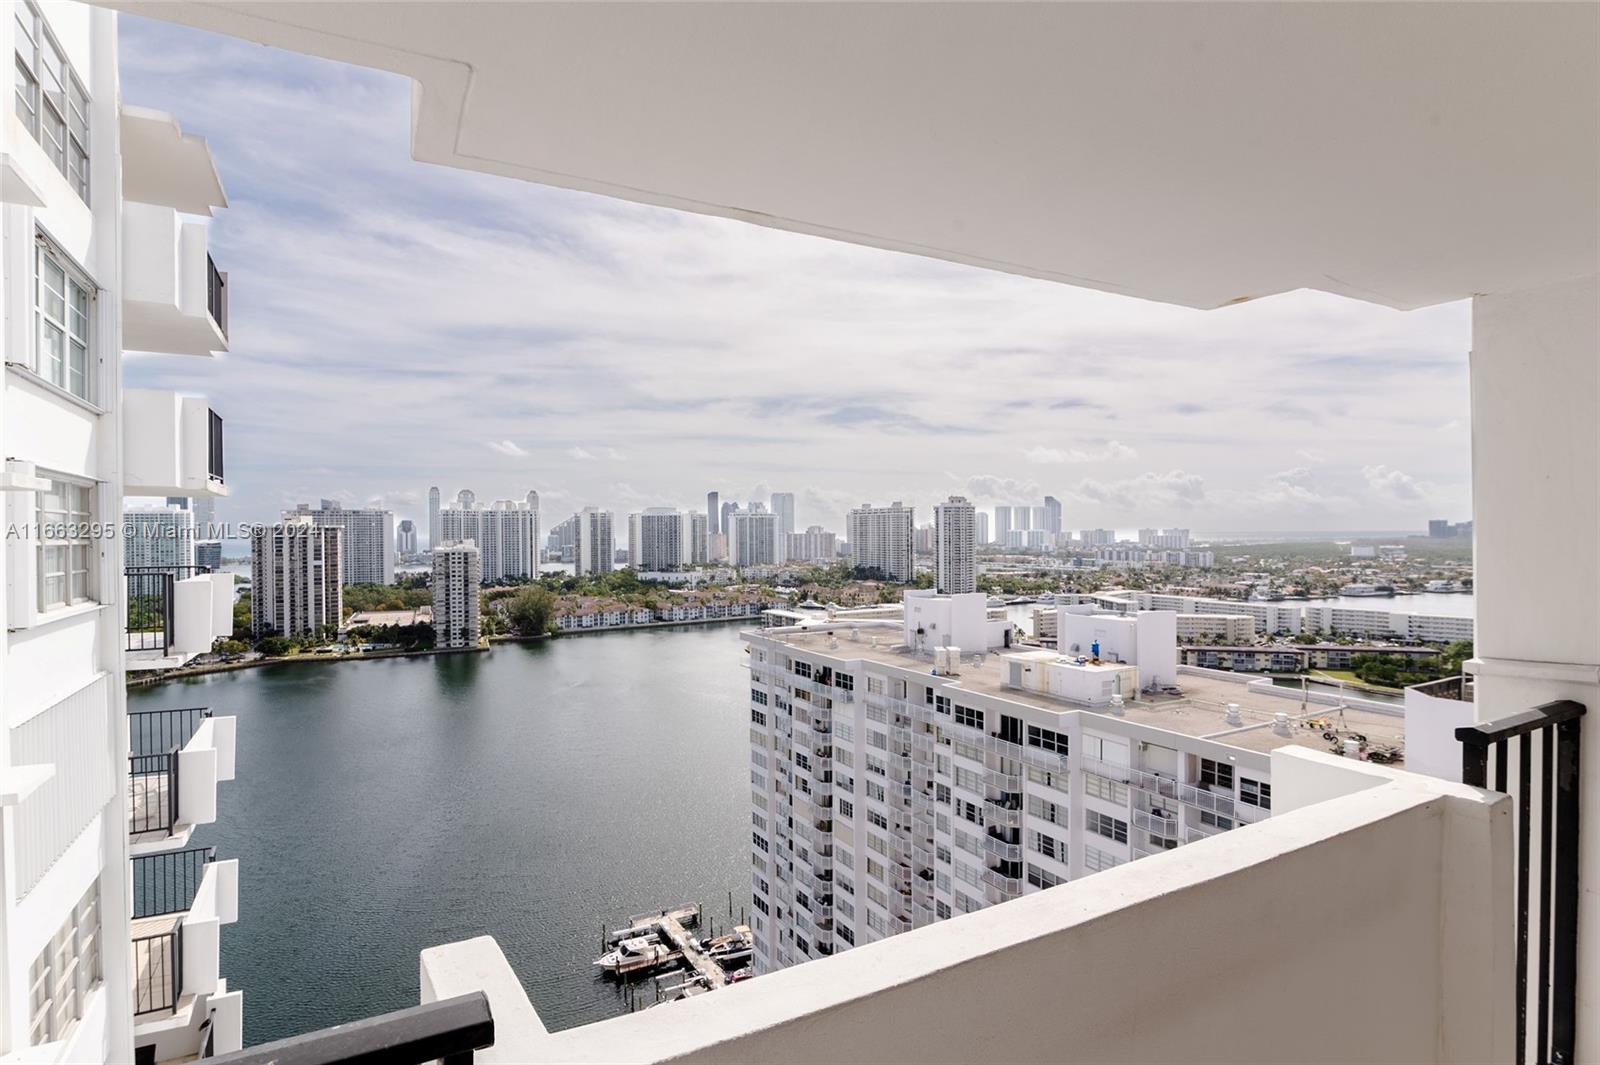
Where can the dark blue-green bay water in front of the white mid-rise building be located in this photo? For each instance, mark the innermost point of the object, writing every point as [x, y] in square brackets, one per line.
[532, 794]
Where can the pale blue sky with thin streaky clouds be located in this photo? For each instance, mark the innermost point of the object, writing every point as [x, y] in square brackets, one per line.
[398, 325]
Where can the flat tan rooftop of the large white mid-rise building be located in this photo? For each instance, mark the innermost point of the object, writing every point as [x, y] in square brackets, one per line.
[1201, 711]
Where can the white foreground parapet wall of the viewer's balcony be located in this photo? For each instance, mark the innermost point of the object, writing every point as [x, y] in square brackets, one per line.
[1372, 927]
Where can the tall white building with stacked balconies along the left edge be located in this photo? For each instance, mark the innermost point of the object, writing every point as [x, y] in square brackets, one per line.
[103, 250]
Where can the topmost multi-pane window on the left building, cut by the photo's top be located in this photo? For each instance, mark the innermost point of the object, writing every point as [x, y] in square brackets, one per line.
[50, 100]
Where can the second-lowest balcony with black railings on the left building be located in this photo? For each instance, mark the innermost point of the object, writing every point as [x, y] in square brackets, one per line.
[177, 760]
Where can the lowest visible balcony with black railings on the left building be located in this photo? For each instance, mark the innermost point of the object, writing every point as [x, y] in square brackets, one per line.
[183, 1008]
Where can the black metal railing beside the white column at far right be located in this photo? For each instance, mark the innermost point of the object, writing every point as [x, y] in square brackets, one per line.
[1548, 736]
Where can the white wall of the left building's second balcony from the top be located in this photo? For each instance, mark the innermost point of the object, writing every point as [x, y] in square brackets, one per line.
[167, 445]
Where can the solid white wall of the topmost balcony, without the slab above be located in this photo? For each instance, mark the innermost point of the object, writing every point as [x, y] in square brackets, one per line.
[164, 301]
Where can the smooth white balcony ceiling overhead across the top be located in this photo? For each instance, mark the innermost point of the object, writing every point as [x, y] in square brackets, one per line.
[1199, 154]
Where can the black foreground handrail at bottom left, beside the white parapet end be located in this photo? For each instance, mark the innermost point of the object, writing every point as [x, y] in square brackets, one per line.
[447, 1032]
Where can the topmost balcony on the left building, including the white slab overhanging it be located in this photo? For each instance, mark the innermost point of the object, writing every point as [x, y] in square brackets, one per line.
[175, 300]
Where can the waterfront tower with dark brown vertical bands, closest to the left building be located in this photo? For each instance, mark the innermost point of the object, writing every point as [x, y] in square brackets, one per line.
[295, 578]
